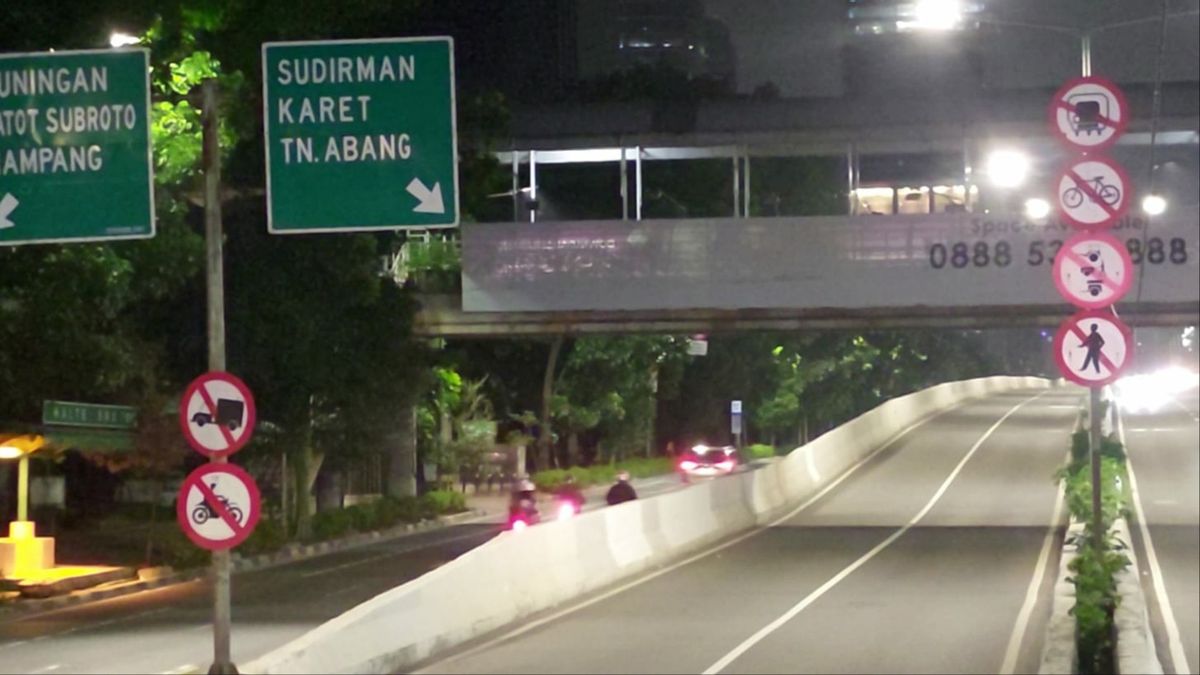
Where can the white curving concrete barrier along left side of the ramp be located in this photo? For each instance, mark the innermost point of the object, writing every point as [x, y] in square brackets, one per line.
[520, 574]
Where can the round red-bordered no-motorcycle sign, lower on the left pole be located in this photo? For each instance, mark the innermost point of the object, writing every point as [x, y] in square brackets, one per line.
[219, 506]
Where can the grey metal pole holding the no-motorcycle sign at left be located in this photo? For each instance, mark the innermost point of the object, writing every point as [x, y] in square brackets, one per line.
[223, 664]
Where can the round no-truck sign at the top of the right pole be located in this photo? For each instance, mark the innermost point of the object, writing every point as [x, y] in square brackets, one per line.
[1089, 114]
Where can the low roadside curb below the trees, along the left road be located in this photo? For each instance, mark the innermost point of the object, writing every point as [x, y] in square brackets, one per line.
[290, 554]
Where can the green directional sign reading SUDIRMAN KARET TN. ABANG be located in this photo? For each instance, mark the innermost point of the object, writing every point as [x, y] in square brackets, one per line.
[361, 135]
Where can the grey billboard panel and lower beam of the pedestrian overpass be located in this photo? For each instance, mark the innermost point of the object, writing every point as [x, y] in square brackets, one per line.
[706, 276]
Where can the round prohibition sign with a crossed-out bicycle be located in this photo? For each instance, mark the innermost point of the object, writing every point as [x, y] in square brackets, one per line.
[1094, 193]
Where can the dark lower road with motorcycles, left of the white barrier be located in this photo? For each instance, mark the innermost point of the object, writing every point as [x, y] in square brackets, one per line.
[170, 629]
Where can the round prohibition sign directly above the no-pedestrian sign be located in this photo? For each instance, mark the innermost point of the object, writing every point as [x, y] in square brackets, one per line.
[1093, 271]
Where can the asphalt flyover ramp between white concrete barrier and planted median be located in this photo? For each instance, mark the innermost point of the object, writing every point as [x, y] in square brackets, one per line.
[938, 555]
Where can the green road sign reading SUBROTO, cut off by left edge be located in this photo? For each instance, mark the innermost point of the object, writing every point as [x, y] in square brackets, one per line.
[75, 147]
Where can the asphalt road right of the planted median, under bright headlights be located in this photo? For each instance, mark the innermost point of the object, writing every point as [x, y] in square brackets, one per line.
[1165, 455]
